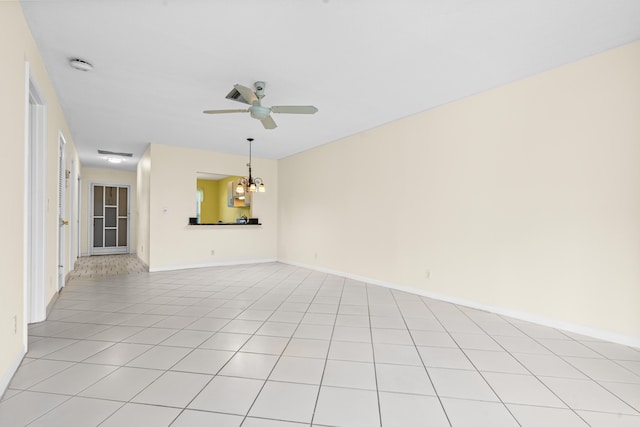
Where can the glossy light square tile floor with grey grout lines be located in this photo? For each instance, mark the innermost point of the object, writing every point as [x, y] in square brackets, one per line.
[276, 345]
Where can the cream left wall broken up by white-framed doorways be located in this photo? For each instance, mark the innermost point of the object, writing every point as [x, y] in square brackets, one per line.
[17, 47]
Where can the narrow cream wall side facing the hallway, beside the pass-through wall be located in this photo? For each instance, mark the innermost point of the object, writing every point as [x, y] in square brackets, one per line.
[143, 202]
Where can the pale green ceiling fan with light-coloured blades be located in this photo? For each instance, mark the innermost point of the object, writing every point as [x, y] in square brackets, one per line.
[247, 96]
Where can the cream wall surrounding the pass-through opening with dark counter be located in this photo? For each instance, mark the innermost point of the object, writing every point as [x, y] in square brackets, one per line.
[175, 244]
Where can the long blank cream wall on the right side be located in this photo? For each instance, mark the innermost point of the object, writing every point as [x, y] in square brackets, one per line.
[525, 198]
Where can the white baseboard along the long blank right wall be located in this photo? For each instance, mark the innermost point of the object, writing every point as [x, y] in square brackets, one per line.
[602, 334]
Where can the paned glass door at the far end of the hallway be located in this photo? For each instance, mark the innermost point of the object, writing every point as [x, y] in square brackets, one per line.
[109, 219]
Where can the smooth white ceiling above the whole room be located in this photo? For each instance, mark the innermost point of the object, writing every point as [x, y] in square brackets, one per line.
[363, 63]
